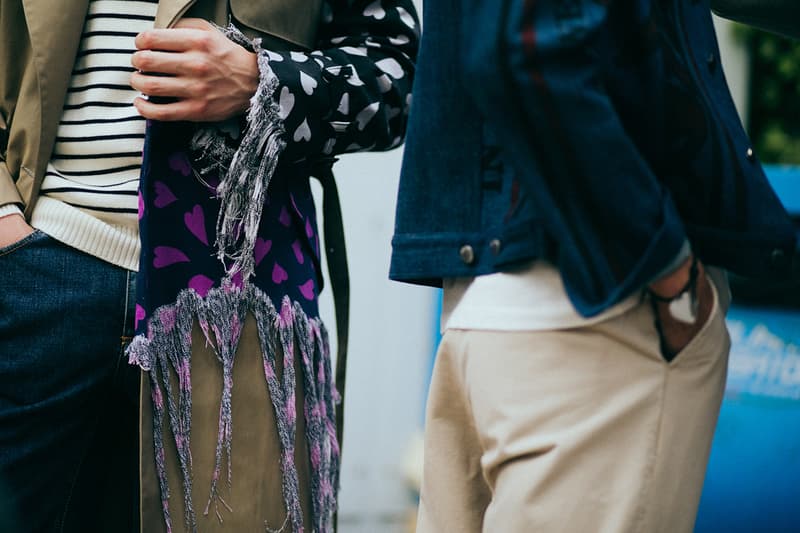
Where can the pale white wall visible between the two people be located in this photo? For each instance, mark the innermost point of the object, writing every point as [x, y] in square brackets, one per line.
[391, 343]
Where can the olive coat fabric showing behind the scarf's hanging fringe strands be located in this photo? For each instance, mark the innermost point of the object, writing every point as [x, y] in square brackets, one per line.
[256, 496]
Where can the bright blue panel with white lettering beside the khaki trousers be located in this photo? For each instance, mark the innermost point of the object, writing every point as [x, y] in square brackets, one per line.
[753, 478]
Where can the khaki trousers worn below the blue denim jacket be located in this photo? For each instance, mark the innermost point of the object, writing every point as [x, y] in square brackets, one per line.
[583, 431]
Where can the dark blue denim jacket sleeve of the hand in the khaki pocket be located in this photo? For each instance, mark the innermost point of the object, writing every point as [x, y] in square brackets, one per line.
[615, 224]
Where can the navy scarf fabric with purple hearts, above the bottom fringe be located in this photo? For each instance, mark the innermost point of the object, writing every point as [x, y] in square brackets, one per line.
[281, 252]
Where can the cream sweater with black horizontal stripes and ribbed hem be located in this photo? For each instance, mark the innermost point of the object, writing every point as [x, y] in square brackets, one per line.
[92, 178]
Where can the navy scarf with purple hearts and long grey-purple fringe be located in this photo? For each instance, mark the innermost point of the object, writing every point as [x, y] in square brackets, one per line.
[220, 240]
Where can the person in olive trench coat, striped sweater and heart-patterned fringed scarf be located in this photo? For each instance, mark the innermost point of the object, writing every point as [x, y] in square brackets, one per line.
[79, 449]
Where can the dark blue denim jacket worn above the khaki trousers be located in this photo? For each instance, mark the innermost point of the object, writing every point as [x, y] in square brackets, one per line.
[600, 136]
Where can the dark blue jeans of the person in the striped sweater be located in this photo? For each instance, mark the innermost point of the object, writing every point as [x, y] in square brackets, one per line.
[68, 399]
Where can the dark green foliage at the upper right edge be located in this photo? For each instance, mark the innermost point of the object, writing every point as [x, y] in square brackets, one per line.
[774, 95]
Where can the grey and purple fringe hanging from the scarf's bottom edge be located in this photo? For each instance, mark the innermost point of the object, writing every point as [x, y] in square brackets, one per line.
[166, 352]
